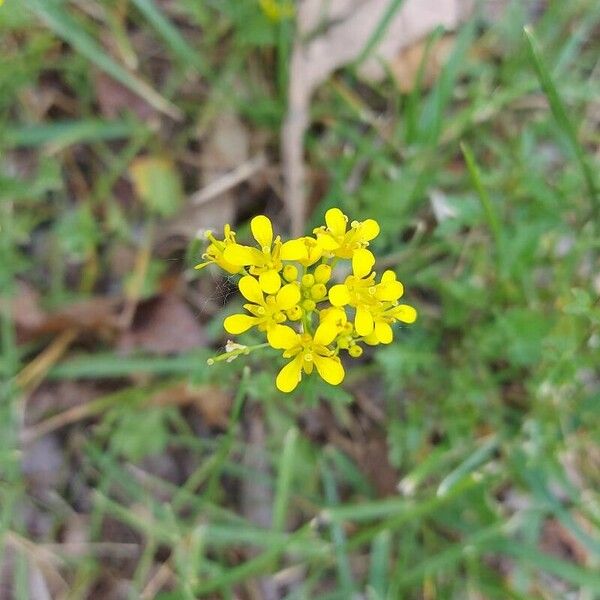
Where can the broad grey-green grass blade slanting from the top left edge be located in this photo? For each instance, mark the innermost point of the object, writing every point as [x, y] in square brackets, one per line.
[66, 27]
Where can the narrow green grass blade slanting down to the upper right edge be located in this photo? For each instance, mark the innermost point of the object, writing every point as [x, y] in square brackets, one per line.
[561, 116]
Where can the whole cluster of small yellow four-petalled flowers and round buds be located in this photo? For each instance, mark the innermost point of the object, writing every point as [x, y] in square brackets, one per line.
[293, 302]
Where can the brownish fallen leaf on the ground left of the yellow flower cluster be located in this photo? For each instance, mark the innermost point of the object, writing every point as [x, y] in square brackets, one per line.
[163, 325]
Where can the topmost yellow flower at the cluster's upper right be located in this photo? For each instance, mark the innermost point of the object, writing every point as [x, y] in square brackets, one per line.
[335, 240]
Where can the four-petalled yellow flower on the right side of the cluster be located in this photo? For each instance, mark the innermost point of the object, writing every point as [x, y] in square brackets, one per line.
[362, 293]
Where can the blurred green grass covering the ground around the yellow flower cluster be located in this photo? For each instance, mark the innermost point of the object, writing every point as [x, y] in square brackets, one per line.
[469, 468]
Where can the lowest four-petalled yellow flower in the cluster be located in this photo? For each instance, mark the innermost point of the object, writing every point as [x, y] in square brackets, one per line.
[306, 353]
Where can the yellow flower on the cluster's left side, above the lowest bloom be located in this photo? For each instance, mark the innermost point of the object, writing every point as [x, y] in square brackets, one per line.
[266, 312]
